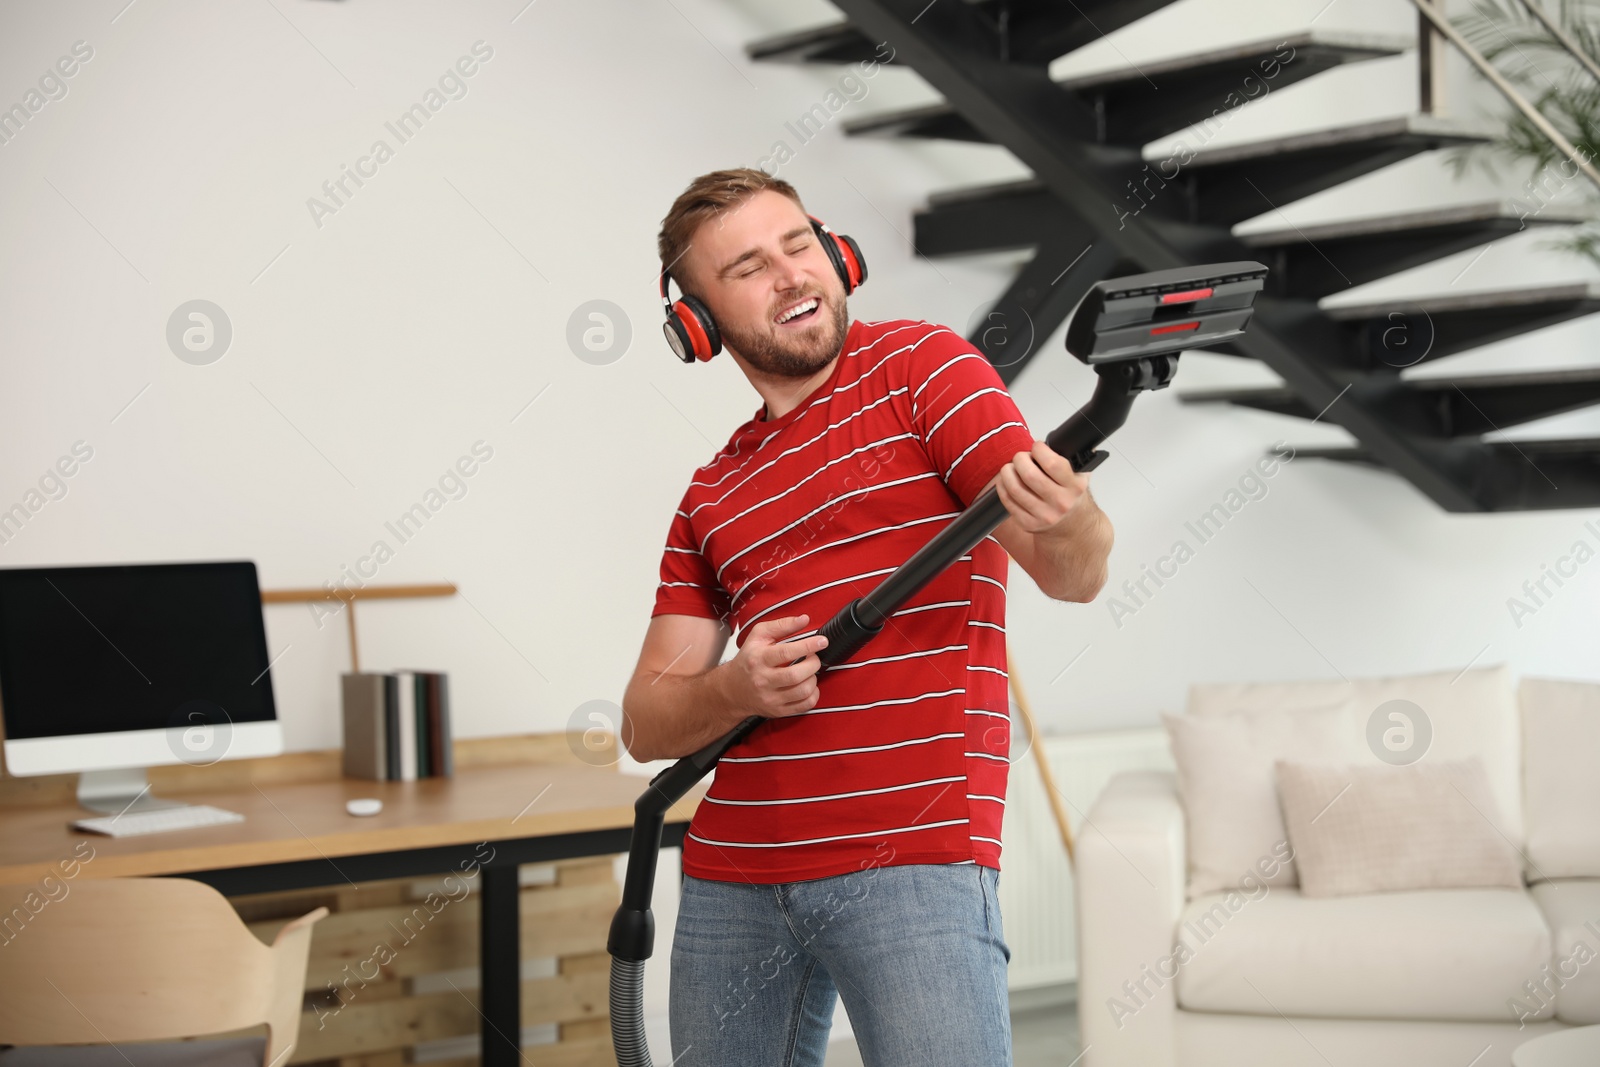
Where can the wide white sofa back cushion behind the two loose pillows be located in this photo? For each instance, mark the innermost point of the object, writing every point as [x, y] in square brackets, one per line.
[1470, 714]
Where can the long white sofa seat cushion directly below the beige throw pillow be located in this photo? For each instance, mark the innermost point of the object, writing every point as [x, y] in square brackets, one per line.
[1433, 954]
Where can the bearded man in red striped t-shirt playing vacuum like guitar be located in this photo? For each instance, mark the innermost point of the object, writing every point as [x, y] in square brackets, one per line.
[850, 847]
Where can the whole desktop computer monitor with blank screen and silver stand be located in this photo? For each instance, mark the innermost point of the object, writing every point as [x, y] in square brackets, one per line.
[106, 671]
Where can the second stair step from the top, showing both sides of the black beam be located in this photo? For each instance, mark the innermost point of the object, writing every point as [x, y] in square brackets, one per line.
[1134, 106]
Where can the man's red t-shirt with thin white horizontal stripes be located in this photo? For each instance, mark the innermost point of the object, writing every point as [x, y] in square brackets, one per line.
[905, 756]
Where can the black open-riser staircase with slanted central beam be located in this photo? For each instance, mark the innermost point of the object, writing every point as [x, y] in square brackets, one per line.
[1097, 207]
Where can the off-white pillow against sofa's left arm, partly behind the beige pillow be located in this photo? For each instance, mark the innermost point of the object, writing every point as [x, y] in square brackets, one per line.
[1230, 793]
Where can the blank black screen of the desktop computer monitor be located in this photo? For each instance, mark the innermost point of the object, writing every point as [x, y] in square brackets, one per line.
[90, 650]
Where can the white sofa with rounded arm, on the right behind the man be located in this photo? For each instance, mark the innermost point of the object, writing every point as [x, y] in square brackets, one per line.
[1450, 978]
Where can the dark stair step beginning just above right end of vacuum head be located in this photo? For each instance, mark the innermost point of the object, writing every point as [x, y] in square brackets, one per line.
[1321, 258]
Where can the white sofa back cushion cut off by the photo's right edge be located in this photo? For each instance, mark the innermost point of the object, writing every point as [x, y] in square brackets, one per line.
[1561, 724]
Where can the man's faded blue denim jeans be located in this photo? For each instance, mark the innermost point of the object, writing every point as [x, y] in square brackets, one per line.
[916, 951]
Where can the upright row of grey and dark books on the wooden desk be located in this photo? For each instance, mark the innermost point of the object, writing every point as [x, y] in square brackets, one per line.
[398, 725]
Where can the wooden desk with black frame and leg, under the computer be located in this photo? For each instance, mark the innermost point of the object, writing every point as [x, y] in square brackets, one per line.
[300, 836]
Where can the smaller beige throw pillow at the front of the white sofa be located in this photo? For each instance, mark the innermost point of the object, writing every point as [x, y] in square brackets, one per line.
[1388, 829]
